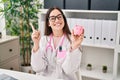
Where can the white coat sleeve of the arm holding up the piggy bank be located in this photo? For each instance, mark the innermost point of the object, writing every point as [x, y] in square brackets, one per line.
[72, 61]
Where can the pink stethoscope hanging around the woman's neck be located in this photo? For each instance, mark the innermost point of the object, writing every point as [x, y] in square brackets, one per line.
[49, 46]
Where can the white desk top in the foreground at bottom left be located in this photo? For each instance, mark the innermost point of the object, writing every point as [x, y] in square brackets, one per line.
[24, 76]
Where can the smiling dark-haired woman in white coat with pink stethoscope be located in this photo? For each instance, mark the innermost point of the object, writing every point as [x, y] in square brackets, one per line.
[56, 54]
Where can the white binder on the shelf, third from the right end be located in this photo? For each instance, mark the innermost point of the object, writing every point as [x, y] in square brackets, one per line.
[98, 31]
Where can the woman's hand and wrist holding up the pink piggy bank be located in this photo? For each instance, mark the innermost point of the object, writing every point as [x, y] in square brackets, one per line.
[76, 40]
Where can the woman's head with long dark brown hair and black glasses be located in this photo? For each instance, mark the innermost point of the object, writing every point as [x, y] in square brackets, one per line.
[55, 22]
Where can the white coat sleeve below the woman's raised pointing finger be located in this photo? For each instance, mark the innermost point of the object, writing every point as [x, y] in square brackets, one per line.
[38, 64]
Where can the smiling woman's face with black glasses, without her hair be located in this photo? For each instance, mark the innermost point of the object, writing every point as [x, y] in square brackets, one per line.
[56, 21]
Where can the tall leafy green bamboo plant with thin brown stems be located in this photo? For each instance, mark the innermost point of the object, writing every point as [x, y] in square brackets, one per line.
[18, 15]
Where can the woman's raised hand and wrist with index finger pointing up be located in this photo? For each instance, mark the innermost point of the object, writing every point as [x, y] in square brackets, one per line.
[36, 38]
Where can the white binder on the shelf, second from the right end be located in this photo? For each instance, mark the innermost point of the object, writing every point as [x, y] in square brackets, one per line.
[105, 31]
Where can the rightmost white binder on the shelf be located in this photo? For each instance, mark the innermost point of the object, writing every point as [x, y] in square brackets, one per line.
[112, 33]
